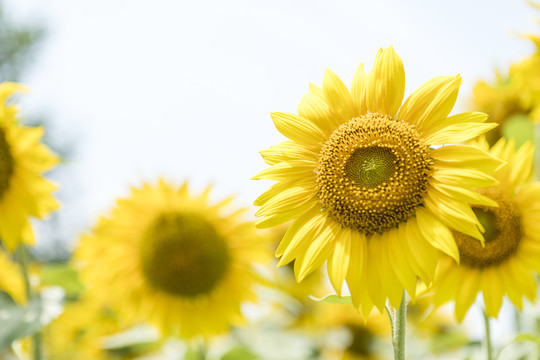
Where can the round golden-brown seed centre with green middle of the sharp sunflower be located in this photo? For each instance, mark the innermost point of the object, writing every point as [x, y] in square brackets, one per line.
[373, 172]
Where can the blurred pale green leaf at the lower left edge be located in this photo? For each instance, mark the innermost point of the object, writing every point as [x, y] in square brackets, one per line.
[18, 322]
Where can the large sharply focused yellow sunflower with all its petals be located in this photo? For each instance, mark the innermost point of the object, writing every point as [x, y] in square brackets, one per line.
[364, 188]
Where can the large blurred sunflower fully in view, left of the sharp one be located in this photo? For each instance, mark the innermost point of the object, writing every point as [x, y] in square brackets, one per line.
[173, 259]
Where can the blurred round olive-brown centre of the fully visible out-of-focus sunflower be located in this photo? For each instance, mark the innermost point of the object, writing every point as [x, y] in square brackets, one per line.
[182, 254]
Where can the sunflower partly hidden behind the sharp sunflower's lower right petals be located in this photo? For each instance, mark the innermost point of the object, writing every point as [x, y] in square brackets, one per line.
[512, 240]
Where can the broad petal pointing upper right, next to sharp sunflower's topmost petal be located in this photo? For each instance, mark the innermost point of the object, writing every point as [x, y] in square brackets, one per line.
[431, 102]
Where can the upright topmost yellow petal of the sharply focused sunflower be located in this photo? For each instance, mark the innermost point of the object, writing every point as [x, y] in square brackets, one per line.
[386, 83]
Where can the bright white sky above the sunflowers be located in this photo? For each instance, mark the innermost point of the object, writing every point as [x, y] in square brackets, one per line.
[184, 88]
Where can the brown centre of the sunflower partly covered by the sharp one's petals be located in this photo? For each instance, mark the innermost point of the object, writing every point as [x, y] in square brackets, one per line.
[503, 232]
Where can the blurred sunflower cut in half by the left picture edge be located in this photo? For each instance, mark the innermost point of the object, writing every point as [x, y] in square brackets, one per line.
[23, 191]
